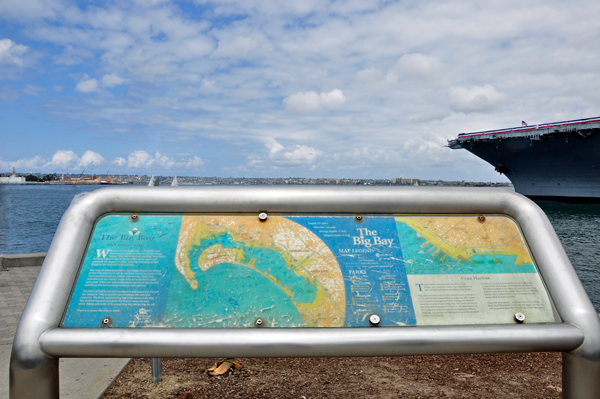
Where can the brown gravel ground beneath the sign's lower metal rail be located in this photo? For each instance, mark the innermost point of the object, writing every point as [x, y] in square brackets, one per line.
[530, 375]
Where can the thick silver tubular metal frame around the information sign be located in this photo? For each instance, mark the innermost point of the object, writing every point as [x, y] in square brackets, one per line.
[39, 342]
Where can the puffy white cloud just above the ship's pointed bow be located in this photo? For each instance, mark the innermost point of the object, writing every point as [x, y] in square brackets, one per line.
[476, 99]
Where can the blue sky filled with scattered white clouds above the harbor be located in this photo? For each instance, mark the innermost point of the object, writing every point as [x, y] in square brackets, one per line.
[365, 89]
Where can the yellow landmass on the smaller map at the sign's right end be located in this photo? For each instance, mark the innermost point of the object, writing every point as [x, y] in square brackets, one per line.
[461, 237]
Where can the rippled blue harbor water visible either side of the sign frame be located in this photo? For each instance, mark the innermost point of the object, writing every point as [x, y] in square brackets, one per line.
[29, 216]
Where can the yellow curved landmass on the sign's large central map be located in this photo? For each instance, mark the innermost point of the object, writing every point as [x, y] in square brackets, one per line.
[304, 253]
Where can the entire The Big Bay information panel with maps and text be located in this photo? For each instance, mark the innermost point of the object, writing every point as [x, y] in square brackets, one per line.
[164, 270]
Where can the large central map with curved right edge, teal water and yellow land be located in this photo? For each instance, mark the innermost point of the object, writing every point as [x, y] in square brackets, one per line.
[277, 270]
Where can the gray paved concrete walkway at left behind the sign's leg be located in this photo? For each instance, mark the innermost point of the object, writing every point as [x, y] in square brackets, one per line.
[79, 378]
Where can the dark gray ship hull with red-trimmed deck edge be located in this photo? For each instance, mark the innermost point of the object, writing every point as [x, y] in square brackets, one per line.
[554, 161]
